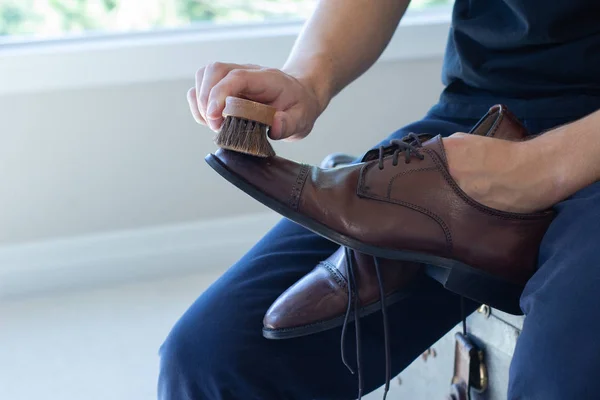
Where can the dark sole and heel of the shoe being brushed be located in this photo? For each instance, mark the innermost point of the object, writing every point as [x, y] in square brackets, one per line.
[456, 276]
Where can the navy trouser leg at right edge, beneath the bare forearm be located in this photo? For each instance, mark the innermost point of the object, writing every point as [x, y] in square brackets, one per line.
[557, 353]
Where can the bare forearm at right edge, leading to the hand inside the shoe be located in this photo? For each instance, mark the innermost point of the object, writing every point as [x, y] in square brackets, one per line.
[570, 154]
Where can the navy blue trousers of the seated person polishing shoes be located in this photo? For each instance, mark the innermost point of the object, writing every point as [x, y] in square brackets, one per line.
[216, 350]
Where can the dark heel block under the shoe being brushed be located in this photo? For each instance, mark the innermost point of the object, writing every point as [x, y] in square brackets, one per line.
[479, 287]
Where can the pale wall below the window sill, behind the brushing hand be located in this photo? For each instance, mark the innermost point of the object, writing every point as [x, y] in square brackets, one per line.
[111, 158]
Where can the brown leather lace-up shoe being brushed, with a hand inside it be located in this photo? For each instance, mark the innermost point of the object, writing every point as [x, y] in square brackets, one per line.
[407, 209]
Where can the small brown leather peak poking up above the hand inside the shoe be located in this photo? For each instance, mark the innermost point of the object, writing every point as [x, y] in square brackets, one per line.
[500, 123]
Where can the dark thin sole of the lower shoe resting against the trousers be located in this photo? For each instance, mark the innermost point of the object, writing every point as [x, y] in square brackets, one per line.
[321, 326]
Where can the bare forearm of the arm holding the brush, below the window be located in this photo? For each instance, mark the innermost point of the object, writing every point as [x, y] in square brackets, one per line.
[341, 41]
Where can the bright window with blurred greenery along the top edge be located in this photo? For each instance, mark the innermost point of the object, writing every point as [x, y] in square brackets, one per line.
[50, 19]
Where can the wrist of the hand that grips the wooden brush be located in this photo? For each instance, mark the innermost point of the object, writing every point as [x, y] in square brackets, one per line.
[315, 74]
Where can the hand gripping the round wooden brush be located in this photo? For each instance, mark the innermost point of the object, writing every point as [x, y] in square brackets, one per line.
[297, 104]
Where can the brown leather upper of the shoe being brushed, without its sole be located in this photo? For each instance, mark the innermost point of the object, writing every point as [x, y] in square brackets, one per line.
[415, 206]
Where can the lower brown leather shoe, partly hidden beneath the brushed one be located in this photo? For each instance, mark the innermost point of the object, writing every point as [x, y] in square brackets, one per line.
[319, 300]
